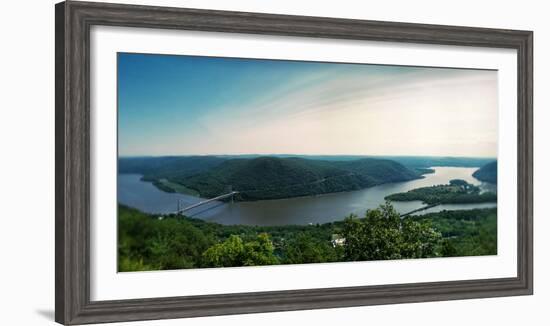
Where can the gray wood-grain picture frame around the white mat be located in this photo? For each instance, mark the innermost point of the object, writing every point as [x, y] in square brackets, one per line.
[72, 180]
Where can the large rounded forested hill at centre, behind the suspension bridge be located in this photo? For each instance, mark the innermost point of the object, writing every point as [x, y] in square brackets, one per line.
[271, 177]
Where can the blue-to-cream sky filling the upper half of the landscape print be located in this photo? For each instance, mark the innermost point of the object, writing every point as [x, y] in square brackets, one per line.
[192, 105]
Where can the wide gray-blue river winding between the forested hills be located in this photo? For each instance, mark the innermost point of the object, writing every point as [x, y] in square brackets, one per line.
[301, 210]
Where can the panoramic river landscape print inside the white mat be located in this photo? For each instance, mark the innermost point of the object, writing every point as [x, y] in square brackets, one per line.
[231, 162]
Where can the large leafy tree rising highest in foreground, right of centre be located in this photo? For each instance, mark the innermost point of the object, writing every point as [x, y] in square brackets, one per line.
[382, 234]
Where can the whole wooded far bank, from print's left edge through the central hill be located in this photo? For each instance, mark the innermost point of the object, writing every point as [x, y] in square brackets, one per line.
[271, 177]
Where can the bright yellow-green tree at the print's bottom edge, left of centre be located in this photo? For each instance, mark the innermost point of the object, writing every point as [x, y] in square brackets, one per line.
[234, 252]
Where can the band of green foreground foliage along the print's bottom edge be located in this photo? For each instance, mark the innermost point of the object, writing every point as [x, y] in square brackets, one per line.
[175, 242]
